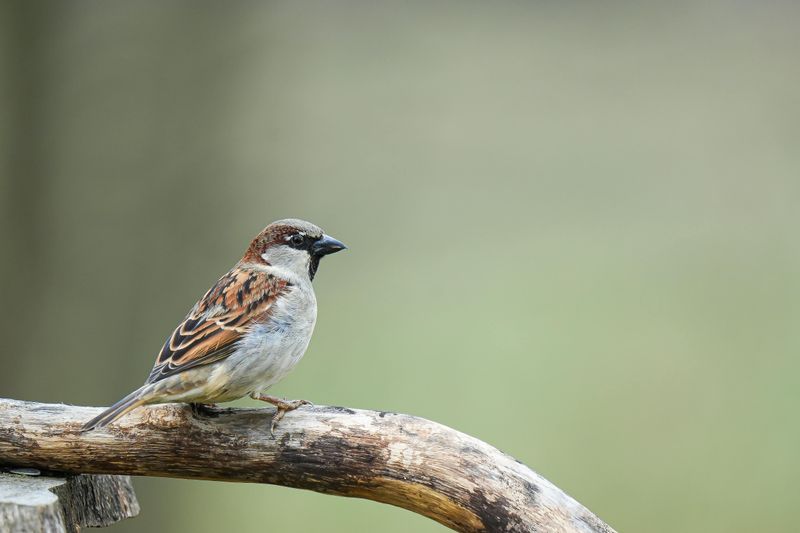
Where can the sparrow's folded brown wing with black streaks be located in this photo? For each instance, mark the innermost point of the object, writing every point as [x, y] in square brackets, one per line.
[210, 332]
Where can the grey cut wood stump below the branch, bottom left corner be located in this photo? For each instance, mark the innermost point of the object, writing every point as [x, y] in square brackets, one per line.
[63, 504]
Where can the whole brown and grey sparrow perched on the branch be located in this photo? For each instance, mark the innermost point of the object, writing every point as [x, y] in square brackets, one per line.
[247, 332]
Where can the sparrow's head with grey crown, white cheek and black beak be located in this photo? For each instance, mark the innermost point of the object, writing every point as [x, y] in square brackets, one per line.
[293, 245]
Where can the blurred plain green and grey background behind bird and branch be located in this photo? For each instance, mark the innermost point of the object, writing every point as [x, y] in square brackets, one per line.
[573, 231]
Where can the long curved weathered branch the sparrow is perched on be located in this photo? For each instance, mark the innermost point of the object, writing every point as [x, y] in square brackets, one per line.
[398, 459]
